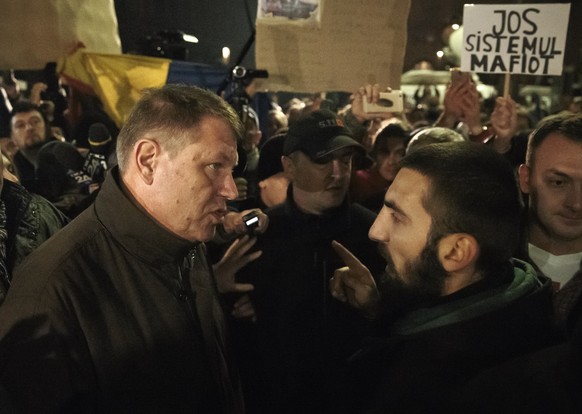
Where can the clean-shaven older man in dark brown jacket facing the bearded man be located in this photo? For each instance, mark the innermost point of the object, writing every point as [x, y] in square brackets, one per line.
[119, 312]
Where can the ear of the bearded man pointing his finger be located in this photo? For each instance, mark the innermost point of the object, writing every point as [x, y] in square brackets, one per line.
[458, 252]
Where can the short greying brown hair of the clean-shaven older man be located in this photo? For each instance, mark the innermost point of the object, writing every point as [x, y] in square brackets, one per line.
[170, 111]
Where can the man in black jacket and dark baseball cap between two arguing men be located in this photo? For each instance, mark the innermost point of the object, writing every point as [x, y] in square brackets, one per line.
[302, 334]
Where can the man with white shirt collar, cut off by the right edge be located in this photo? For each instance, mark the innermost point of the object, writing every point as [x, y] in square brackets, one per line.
[552, 176]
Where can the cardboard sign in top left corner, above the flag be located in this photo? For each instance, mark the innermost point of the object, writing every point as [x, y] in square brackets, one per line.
[34, 32]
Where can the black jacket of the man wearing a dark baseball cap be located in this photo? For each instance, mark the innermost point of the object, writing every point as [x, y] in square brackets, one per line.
[303, 335]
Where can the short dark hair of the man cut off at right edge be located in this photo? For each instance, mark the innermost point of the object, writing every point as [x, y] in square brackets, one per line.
[567, 124]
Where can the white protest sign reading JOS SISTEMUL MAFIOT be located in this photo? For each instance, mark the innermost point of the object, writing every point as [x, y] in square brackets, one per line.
[526, 39]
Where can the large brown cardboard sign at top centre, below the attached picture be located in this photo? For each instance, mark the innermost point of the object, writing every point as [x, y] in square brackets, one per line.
[356, 42]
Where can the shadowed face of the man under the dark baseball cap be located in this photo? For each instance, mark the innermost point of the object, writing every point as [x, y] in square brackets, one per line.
[322, 184]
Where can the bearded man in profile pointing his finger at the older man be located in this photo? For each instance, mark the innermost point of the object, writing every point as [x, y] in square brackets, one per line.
[455, 301]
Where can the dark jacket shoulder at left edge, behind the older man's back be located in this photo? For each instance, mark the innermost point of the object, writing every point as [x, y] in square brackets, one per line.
[29, 221]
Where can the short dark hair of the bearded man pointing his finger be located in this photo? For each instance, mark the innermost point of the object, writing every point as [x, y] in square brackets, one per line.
[472, 190]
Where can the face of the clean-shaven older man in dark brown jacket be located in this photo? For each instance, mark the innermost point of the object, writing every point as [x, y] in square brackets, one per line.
[192, 183]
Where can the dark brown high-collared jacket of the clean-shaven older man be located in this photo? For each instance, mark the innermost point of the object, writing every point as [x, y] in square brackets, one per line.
[116, 314]
